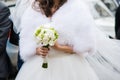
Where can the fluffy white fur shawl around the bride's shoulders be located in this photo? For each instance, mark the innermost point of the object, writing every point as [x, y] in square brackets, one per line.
[73, 22]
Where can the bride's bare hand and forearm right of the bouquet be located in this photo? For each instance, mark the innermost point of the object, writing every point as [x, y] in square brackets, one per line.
[65, 48]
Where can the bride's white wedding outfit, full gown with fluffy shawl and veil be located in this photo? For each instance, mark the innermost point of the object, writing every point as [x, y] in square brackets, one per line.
[76, 28]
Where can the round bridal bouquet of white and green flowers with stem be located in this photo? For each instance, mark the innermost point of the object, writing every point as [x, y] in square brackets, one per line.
[46, 36]
